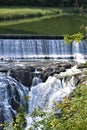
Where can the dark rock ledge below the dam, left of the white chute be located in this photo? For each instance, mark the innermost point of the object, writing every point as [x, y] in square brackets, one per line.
[24, 73]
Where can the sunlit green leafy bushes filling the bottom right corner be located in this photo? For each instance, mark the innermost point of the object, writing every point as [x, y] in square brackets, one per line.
[74, 113]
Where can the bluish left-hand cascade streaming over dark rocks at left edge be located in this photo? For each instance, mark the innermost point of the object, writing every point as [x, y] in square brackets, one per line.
[12, 95]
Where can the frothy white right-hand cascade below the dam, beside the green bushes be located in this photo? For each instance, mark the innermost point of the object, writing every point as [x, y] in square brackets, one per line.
[56, 87]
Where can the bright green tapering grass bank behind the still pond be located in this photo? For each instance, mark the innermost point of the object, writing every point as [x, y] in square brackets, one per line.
[11, 13]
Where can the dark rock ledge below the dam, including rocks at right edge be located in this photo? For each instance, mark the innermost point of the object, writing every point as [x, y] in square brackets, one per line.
[24, 71]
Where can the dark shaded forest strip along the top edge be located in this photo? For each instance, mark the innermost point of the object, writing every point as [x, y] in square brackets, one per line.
[48, 3]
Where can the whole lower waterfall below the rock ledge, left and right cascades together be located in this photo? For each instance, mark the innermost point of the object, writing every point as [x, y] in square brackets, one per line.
[42, 94]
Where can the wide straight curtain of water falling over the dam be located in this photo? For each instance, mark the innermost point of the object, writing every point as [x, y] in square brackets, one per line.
[40, 49]
